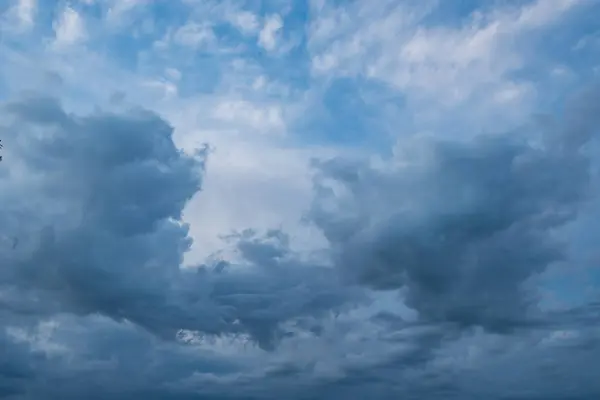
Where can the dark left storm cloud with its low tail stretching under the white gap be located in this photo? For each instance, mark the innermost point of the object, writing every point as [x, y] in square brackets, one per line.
[101, 197]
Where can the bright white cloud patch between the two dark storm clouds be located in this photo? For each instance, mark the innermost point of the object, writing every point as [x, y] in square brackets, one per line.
[253, 179]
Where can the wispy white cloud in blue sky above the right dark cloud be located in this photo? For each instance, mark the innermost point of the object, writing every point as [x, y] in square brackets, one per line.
[441, 66]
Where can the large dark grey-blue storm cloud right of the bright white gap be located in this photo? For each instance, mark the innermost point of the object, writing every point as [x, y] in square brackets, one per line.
[462, 226]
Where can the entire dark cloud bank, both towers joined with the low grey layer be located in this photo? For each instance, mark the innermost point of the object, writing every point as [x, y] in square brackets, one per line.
[96, 304]
